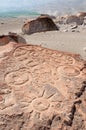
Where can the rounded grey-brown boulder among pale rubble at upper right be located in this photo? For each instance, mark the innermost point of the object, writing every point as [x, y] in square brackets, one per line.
[74, 18]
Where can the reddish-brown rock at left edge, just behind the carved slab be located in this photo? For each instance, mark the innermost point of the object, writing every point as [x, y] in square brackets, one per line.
[5, 39]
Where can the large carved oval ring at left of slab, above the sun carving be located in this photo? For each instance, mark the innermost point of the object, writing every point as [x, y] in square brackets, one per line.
[17, 78]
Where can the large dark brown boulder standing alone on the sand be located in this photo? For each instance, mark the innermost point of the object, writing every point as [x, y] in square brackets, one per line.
[41, 24]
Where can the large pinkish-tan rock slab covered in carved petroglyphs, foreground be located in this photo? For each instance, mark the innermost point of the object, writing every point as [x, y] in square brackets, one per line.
[41, 89]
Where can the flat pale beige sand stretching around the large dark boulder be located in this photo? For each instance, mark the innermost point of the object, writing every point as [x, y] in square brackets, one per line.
[59, 40]
